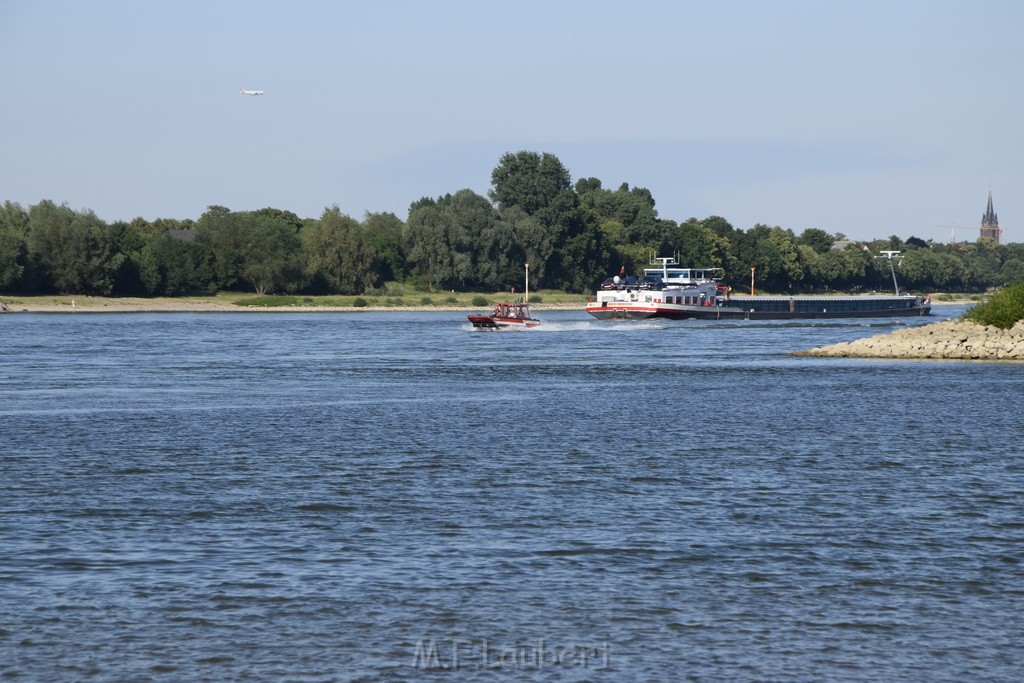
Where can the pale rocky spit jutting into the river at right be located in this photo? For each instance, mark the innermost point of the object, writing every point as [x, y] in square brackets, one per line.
[955, 339]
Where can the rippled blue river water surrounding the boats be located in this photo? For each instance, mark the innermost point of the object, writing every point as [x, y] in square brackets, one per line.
[394, 496]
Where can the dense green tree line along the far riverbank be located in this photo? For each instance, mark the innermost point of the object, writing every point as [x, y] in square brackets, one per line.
[573, 236]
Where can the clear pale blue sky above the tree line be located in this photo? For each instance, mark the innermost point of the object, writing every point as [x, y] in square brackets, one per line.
[868, 118]
